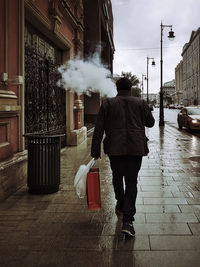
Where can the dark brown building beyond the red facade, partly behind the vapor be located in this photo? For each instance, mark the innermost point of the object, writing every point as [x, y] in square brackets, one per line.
[98, 38]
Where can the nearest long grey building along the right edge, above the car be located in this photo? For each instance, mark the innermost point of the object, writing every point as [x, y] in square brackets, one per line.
[191, 70]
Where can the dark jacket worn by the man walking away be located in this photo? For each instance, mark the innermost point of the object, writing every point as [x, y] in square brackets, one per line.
[123, 119]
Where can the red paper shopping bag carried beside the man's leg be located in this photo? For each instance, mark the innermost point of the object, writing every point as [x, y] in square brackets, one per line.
[93, 189]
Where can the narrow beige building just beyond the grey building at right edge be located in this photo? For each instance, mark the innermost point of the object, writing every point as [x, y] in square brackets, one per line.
[179, 83]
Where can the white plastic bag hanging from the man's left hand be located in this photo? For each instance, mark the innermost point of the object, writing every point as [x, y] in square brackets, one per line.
[81, 177]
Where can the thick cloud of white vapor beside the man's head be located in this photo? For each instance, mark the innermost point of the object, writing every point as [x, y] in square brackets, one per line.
[86, 77]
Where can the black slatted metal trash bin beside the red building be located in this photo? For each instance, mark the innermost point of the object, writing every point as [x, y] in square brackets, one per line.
[43, 163]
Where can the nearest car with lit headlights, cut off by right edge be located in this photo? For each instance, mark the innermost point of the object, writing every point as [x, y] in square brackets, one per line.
[189, 117]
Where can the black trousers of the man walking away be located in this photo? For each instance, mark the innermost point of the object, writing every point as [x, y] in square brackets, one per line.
[126, 167]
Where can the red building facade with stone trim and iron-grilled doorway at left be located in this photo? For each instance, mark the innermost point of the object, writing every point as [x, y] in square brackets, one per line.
[37, 37]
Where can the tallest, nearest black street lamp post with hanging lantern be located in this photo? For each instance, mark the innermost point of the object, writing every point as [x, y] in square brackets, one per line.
[170, 36]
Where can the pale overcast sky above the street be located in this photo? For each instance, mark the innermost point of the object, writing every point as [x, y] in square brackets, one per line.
[137, 35]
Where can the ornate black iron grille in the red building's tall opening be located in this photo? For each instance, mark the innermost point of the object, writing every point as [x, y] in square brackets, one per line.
[45, 102]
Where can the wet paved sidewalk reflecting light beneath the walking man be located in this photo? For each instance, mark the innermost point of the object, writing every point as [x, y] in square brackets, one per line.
[59, 230]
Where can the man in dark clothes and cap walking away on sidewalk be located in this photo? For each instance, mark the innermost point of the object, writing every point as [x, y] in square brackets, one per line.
[123, 119]
